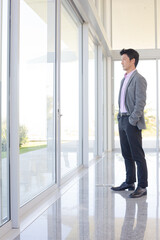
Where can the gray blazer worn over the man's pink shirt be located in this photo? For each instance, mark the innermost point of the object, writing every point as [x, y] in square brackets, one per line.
[135, 99]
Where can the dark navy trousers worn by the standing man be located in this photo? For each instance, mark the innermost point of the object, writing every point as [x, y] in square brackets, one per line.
[132, 151]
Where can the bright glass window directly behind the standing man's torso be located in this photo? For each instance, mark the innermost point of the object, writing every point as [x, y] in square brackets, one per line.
[146, 68]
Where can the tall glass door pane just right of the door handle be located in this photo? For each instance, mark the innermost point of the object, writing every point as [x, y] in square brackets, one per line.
[70, 91]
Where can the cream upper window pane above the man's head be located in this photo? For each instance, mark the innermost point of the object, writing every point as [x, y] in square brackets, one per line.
[133, 24]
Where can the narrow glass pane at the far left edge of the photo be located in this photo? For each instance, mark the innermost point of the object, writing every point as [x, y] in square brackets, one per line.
[4, 116]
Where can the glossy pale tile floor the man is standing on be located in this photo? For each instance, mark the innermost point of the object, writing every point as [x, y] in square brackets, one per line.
[90, 210]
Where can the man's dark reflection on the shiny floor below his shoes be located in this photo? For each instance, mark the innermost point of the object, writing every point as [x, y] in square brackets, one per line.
[134, 228]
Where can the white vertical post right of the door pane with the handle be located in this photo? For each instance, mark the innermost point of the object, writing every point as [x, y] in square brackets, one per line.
[85, 95]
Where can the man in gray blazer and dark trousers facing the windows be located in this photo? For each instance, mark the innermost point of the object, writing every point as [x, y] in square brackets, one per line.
[132, 99]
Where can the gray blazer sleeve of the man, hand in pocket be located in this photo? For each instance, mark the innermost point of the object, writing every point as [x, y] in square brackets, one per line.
[140, 100]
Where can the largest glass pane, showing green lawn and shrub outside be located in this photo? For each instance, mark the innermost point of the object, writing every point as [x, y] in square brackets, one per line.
[37, 97]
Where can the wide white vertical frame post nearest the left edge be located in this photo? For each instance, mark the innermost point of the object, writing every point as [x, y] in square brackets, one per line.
[14, 113]
